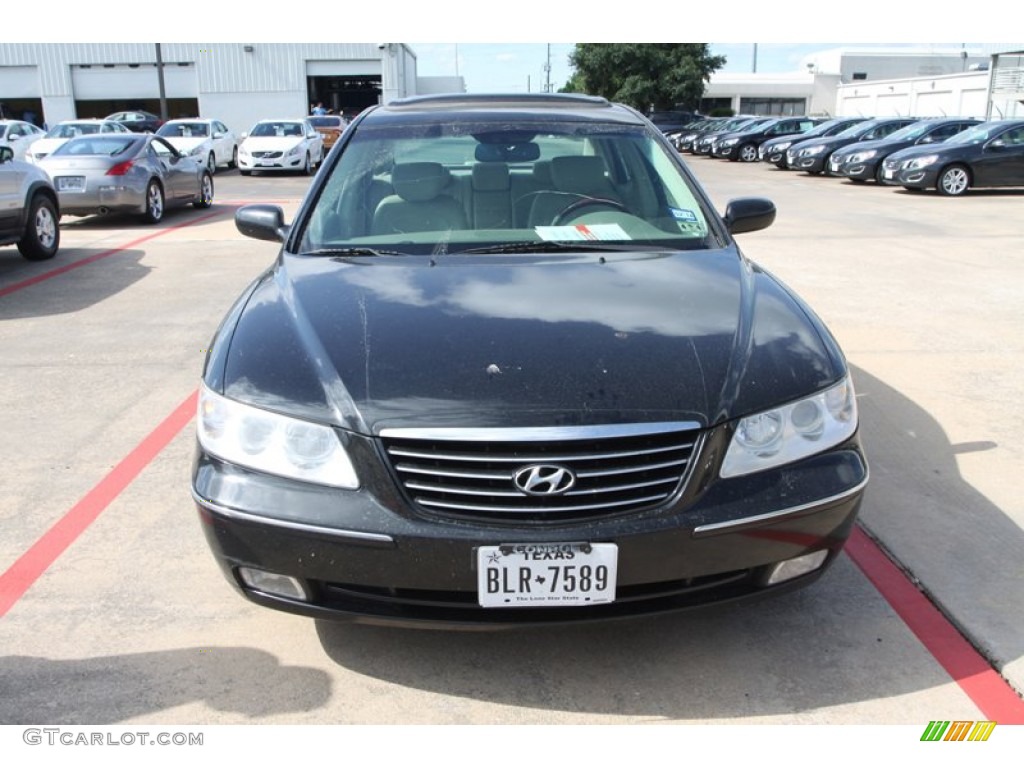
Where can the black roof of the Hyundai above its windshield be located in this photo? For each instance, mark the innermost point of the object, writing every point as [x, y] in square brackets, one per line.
[536, 107]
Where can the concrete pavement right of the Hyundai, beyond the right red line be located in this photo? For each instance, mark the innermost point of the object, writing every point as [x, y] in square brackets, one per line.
[926, 300]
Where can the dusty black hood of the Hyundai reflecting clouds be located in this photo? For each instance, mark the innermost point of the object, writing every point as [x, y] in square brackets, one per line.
[383, 343]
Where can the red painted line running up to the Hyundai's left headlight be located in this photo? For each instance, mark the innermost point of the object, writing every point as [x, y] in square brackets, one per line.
[20, 577]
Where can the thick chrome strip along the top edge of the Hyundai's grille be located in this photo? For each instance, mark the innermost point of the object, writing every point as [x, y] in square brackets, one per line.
[509, 435]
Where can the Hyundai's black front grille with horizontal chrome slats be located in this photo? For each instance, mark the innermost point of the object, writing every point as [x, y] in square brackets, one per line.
[617, 472]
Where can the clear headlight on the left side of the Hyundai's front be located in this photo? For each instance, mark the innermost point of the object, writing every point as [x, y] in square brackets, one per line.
[272, 443]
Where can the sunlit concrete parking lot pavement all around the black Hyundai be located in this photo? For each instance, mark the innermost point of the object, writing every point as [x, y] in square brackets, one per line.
[123, 617]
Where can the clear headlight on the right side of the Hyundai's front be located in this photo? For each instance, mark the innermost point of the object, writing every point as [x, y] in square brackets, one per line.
[792, 433]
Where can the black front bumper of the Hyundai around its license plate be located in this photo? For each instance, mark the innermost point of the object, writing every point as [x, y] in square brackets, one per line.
[368, 557]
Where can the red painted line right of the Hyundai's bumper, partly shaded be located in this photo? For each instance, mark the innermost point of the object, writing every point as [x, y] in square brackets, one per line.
[994, 696]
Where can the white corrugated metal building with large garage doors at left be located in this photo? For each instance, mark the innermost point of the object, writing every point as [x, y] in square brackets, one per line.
[237, 83]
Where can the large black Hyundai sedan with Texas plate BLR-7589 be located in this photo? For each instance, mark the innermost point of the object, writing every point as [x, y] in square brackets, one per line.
[511, 368]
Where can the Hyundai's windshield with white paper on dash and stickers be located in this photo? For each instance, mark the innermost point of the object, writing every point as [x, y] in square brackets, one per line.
[460, 187]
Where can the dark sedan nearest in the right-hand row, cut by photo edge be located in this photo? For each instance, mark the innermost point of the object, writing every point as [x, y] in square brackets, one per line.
[988, 155]
